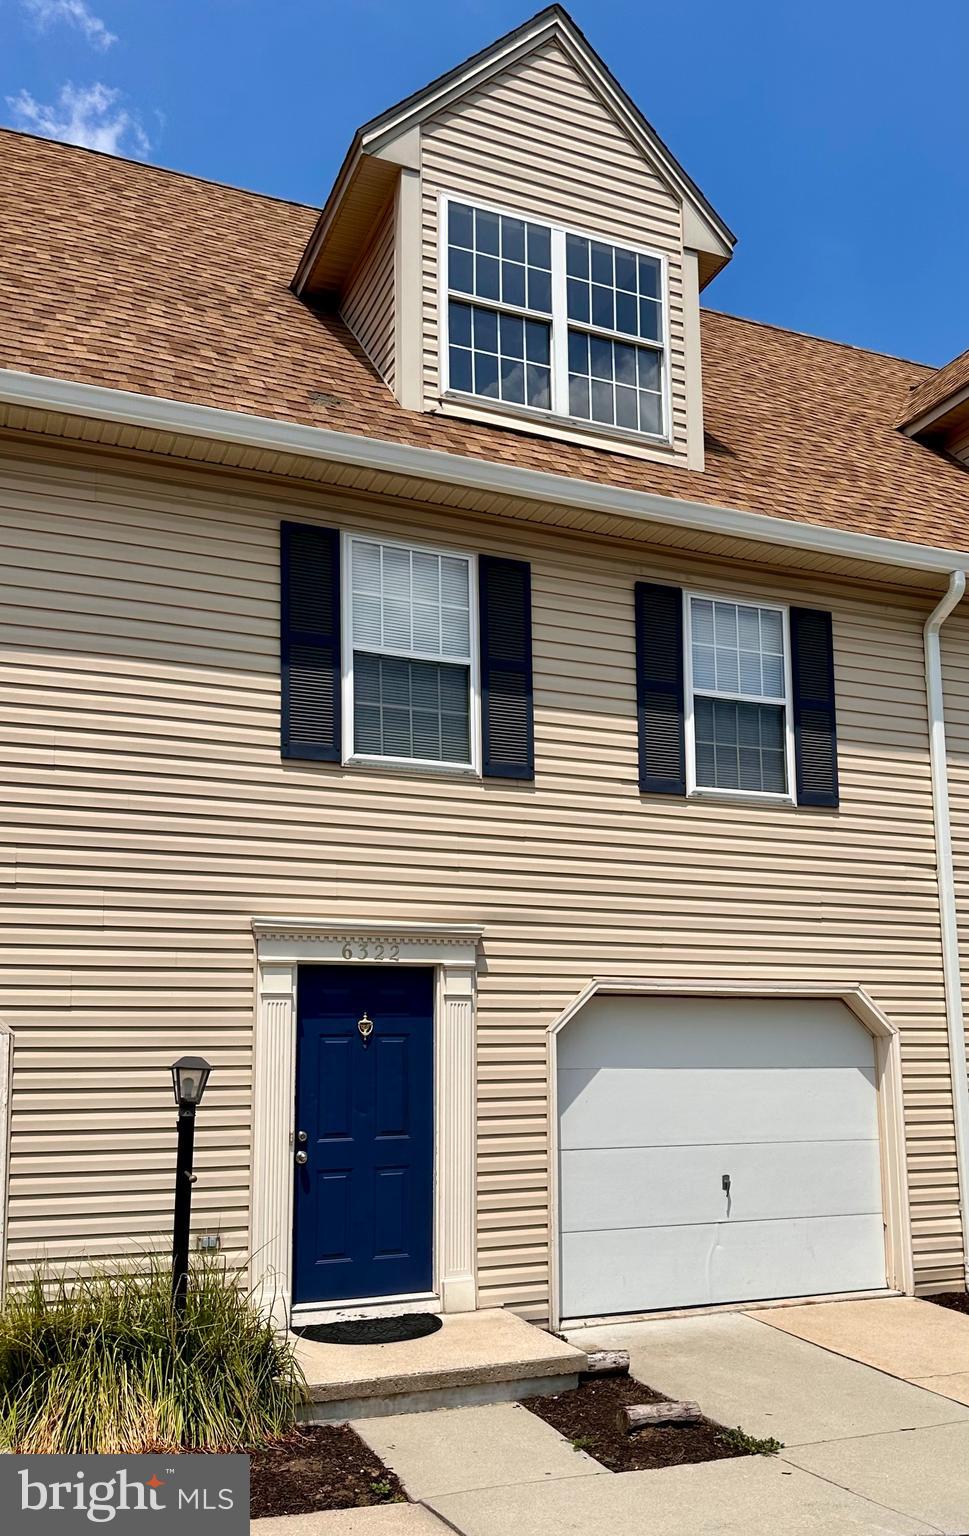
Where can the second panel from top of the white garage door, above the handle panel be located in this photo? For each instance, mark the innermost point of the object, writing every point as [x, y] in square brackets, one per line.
[635, 1107]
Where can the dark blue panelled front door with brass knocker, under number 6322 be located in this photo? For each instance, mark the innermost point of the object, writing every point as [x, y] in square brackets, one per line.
[365, 1121]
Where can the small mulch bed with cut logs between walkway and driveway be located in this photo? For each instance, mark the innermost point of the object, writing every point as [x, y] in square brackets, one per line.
[589, 1417]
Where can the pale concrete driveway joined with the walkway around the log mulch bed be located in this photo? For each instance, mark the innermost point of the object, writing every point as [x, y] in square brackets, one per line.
[867, 1451]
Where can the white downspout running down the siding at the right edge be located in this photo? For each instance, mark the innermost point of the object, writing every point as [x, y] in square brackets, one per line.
[947, 895]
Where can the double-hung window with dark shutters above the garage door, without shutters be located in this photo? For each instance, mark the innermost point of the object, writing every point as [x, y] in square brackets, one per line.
[739, 733]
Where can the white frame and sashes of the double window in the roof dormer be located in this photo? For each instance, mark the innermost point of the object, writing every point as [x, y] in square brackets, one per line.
[560, 326]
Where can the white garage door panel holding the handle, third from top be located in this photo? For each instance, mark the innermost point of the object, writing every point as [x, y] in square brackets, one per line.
[655, 1187]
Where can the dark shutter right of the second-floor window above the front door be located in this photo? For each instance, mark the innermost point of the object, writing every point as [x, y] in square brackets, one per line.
[508, 726]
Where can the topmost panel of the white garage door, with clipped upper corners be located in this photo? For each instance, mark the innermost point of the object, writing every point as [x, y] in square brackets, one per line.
[724, 1034]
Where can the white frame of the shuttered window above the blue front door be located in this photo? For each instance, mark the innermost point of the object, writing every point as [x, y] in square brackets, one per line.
[346, 684]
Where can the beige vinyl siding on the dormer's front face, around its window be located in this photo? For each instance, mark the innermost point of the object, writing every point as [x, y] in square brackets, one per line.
[537, 139]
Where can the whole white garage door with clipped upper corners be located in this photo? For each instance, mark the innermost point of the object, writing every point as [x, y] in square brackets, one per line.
[716, 1151]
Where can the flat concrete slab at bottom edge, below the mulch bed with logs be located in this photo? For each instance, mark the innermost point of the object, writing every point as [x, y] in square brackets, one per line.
[750, 1497]
